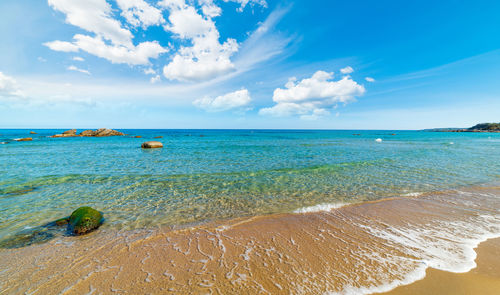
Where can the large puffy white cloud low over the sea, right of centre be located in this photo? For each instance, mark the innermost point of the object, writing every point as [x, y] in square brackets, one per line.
[312, 97]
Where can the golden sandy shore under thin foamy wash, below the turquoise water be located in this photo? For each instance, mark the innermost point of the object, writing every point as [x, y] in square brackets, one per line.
[363, 248]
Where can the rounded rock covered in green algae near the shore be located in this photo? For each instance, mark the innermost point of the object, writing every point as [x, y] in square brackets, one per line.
[84, 220]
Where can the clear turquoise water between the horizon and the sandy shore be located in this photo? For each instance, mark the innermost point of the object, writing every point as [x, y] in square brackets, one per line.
[206, 175]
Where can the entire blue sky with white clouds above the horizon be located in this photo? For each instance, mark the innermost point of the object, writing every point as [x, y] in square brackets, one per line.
[249, 64]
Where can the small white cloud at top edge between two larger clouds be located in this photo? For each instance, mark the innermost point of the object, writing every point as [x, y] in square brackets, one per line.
[139, 13]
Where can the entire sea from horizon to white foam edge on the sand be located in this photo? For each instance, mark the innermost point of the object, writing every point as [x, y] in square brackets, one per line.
[253, 182]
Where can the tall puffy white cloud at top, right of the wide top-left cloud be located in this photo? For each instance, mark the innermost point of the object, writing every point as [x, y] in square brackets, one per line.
[207, 58]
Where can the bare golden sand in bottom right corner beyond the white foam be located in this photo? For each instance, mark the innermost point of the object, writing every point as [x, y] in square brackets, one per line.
[484, 279]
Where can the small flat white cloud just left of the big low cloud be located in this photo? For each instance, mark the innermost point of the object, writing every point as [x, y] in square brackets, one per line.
[238, 100]
